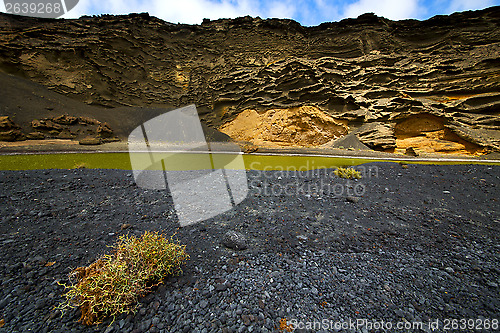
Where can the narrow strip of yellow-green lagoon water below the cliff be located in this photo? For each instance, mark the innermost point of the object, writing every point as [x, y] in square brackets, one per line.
[192, 161]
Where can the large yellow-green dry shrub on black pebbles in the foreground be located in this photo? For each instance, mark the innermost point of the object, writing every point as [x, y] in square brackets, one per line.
[113, 284]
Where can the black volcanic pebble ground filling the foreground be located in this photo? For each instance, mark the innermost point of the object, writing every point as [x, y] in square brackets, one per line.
[415, 243]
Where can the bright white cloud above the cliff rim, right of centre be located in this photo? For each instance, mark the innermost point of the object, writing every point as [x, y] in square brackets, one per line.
[391, 9]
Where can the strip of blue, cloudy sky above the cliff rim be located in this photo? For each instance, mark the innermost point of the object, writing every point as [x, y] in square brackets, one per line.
[307, 12]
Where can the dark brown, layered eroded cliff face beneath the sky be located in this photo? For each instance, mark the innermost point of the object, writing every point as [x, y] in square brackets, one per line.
[367, 71]
